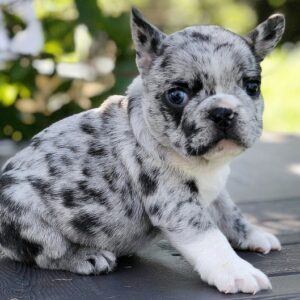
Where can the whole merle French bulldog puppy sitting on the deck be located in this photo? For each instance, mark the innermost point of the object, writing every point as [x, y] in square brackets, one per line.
[99, 184]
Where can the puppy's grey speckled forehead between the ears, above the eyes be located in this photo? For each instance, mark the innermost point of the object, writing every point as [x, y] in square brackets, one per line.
[209, 52]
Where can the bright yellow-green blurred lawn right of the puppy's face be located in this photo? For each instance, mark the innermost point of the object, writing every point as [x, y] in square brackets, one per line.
[281, 90]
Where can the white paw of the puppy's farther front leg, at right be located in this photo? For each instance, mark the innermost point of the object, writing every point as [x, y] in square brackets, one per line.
[261, 241]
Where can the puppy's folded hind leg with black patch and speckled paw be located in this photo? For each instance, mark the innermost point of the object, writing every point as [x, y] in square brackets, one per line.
[32, 240]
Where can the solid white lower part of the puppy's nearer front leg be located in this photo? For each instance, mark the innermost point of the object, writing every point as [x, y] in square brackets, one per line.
[219, 265]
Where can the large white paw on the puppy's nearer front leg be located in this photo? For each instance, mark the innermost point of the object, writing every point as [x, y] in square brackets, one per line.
[237, 276]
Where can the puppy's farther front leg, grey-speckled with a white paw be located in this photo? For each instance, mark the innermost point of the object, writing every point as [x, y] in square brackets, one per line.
[238, 230]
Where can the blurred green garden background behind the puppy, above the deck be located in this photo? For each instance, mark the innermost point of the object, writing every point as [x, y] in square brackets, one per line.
[59, 57]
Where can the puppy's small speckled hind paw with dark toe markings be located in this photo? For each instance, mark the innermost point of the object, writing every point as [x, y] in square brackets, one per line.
[94, 262]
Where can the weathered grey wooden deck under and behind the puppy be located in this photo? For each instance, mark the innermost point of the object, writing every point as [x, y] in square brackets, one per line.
[160, 272]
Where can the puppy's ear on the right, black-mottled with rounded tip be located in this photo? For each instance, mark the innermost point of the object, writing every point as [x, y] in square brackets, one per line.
[266, 35]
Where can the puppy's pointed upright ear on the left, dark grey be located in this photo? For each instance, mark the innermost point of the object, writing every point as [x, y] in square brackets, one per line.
[147, 40]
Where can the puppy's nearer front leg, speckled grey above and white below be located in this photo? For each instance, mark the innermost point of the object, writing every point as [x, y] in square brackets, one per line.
[191, 230]
